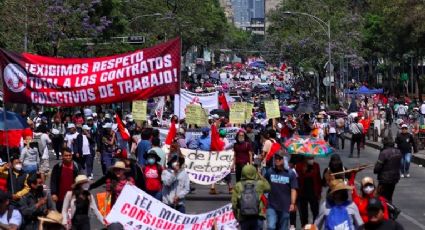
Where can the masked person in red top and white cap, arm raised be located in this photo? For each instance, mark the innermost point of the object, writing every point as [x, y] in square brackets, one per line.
[368, 192]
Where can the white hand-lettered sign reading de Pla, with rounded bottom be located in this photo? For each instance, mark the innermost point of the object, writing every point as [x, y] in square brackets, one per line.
[207, 167]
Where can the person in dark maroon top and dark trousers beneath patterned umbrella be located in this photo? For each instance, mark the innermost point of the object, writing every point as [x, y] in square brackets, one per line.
[310, 188]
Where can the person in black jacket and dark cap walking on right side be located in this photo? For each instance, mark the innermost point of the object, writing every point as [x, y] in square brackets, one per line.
[388, 169]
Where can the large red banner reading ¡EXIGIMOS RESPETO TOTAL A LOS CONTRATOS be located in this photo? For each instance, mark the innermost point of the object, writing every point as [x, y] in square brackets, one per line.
[143, 74]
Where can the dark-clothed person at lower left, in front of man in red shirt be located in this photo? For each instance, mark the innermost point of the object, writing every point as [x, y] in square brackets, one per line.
[35, 204]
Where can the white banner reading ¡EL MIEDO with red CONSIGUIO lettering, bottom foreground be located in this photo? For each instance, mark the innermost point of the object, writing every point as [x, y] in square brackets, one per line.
[136, 209]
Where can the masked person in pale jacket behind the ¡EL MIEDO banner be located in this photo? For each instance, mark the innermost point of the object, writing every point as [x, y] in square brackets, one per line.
[176, 184]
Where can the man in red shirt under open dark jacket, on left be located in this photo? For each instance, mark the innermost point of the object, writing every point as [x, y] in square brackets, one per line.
[62, 178]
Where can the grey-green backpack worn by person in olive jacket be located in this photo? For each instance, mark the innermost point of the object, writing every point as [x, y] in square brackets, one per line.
[249, 201]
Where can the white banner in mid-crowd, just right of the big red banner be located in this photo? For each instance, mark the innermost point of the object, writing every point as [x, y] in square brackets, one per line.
[208, 101]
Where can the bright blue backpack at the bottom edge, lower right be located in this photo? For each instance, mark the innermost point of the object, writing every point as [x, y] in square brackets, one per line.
[338, 218]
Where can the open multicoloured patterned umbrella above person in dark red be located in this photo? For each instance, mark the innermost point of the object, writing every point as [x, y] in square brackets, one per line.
[308, 146]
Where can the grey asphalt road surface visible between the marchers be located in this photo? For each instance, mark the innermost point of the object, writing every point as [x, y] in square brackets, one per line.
[409, 195]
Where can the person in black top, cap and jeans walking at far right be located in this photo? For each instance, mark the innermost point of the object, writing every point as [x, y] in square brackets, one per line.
[405, 142]
